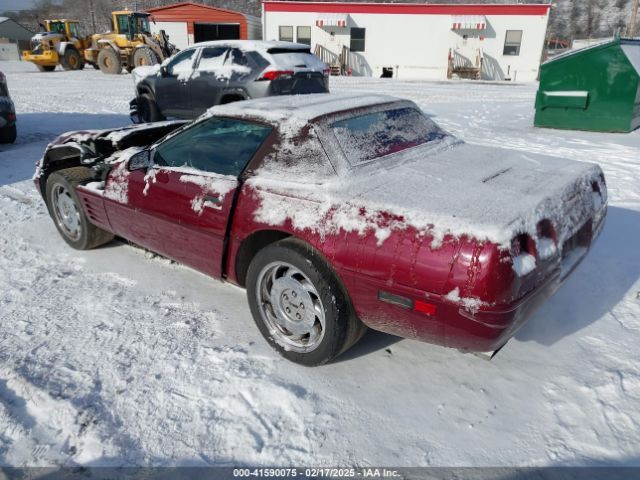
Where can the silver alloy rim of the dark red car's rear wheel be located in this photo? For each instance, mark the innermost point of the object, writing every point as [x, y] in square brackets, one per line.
[290, 307]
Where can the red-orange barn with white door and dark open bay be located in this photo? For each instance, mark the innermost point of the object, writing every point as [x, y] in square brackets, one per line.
[187, 23]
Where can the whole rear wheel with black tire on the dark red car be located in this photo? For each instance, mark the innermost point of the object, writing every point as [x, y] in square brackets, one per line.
[290, 275]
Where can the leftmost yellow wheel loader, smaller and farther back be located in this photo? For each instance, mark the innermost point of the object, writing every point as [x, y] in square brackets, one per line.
[59, 43]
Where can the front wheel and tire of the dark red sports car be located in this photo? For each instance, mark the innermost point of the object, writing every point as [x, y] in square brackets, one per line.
[67, 212]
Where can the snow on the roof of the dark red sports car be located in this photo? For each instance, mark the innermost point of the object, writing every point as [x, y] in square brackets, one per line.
[288, 108]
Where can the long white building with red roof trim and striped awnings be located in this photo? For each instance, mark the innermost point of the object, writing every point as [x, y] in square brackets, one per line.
[416, 41]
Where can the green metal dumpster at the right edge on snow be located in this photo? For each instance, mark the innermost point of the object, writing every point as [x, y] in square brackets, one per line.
[596, 88]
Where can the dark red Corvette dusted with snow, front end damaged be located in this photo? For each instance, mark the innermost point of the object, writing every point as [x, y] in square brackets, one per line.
[336, 212]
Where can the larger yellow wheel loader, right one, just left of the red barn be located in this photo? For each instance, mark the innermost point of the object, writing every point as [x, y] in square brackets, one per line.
[129, 45]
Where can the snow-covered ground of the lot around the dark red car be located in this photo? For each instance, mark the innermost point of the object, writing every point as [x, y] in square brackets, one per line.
[118, 357]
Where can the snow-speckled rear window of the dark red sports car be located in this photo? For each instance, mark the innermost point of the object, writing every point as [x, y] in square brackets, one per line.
[366, 137]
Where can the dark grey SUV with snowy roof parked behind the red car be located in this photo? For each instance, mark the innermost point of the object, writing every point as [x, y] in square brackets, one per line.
[214, 73]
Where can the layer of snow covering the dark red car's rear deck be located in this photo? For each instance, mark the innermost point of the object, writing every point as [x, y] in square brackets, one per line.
[448, 189]
